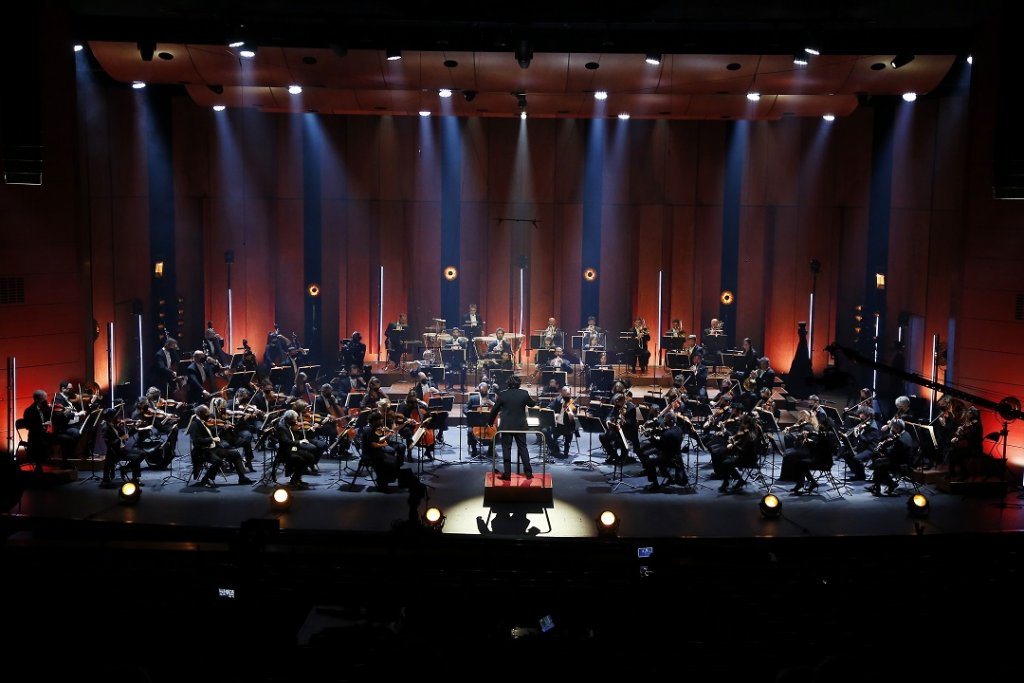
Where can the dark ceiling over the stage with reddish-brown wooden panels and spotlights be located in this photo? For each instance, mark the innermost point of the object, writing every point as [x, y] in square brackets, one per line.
[557, 55]
